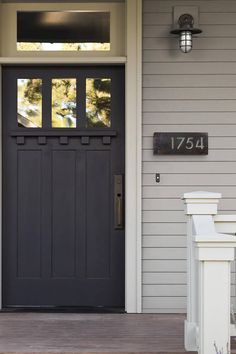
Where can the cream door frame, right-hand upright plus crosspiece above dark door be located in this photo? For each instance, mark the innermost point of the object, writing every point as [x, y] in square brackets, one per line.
[133, 146]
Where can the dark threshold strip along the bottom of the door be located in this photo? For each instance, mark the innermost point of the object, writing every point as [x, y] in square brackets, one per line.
[64, 309]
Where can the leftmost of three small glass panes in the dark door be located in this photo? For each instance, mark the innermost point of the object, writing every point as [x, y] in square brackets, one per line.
[29, 103]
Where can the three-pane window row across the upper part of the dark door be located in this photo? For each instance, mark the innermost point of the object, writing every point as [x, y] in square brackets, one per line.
[74, 102]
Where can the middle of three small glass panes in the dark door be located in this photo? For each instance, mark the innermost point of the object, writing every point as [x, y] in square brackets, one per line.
[63, 103]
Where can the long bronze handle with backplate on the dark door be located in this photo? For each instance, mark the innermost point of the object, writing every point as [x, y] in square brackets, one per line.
[118, 202]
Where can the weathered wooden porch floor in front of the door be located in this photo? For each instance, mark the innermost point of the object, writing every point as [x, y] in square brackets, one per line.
[91, 333]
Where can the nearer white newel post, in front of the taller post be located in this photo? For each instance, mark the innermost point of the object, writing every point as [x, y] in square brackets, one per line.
[214, 296]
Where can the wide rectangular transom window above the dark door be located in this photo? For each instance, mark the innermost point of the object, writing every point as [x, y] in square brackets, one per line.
[63, 31]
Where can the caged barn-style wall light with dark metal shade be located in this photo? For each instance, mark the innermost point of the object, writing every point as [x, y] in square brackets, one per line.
[185, 32]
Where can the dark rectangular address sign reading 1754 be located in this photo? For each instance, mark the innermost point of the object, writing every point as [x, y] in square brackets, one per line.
[180, 143]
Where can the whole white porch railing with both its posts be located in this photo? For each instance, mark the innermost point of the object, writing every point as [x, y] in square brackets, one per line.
[210, 250]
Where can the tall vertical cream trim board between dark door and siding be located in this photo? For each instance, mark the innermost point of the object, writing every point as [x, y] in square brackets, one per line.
[133, 151]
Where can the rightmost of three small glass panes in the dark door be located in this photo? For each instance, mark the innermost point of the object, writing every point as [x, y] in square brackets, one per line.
[98, 103]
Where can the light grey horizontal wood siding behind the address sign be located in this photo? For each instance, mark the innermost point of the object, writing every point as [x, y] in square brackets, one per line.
[184, 92]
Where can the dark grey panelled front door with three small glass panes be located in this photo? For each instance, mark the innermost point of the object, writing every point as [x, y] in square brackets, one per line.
[63, 186]
